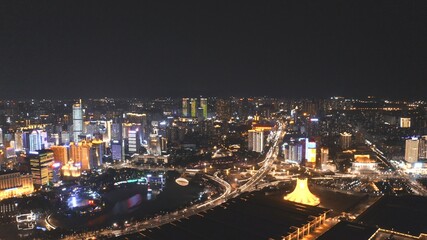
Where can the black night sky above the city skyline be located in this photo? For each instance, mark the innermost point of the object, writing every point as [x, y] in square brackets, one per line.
[214, 48]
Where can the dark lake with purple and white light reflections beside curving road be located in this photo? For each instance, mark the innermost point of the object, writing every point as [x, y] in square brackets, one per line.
[136, 200]
